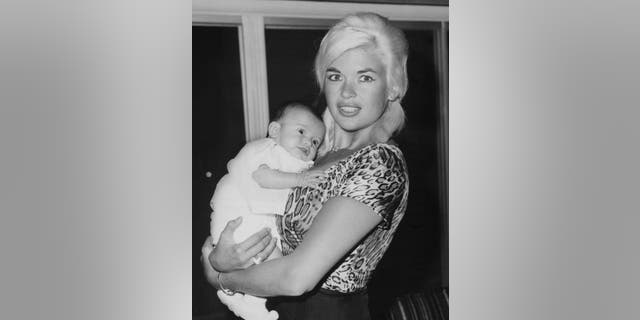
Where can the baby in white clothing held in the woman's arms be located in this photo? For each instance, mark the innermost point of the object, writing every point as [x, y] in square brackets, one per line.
[258, 184]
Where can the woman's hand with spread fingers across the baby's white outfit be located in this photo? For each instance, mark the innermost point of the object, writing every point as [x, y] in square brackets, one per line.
[227, 255]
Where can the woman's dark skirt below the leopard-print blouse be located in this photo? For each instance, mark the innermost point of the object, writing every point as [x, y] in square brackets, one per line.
[322, 304]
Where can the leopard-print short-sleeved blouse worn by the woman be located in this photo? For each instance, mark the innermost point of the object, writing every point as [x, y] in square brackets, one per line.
[375, 175]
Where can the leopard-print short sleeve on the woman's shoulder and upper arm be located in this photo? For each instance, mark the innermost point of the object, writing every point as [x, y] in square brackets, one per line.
[378, 179]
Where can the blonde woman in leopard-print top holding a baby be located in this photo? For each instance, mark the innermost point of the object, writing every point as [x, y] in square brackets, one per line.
[334, 235]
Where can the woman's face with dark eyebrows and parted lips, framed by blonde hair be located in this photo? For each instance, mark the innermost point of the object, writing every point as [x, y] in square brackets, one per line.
[355, 87]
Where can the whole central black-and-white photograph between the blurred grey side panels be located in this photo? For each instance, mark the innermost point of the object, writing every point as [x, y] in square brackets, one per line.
[324, 123]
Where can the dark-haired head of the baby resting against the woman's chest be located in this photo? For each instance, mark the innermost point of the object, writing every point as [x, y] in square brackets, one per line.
[298, 130]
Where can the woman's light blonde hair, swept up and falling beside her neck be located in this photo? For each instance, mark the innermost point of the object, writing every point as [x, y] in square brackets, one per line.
[368, 30]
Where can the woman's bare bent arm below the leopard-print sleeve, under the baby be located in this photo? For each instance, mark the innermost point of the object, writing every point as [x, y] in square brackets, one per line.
[339, 226]
